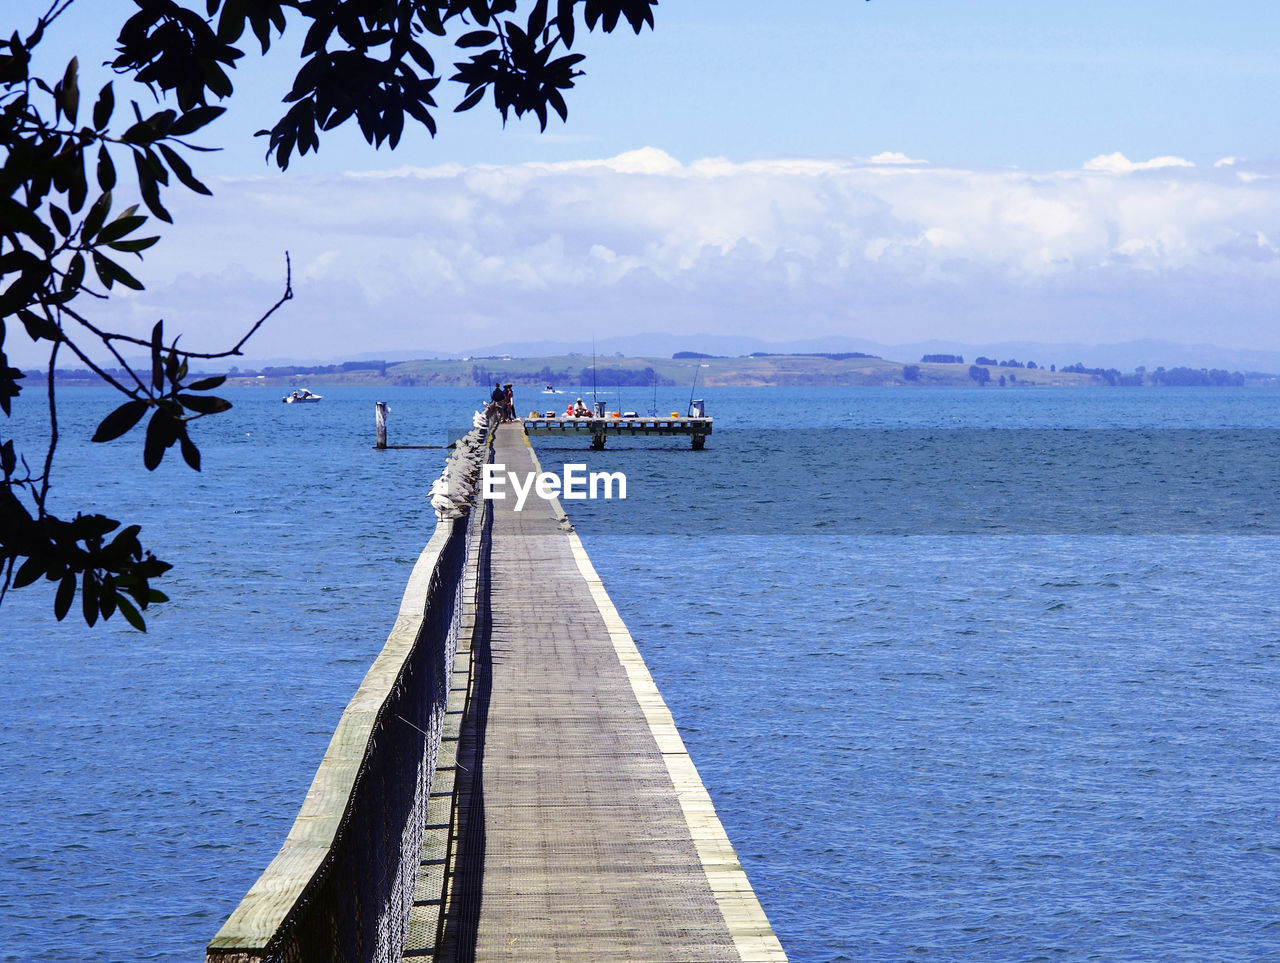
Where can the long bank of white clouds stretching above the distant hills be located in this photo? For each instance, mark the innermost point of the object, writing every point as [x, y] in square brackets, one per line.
[444, 258]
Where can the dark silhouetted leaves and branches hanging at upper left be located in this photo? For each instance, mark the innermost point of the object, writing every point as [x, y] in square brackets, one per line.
[67, 161]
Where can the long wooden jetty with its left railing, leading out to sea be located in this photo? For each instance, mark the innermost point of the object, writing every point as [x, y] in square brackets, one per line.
[564, 821]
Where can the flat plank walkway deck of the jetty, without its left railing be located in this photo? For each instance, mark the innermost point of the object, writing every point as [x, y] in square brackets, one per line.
[580, 830]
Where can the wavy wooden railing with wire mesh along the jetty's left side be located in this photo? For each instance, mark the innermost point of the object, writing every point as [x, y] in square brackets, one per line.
[342, 886]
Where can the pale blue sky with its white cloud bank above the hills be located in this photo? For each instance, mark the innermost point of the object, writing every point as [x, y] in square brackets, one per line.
[894, 171]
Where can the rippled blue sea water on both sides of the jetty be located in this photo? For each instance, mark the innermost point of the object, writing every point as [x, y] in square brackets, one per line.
[938, 728]
